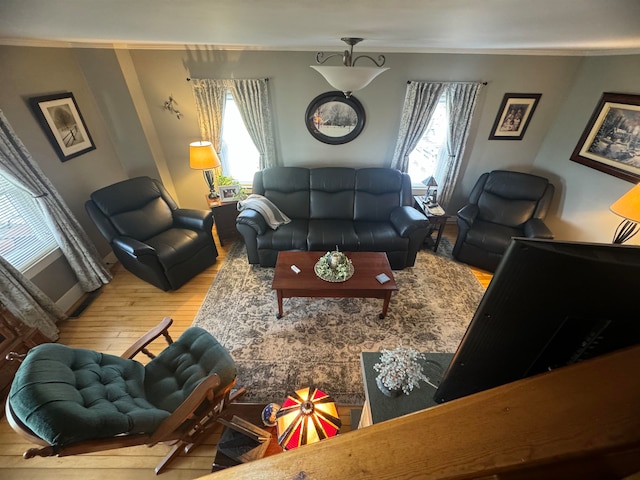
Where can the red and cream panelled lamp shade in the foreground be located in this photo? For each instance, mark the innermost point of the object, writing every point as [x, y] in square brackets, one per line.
[307, 416]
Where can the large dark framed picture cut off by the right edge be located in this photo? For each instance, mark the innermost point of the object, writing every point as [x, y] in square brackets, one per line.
[611, 141]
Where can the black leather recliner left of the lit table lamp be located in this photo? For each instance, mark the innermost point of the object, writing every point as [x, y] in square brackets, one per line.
[153, 238]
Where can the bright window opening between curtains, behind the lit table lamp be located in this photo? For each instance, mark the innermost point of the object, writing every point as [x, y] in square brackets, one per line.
[241, 158]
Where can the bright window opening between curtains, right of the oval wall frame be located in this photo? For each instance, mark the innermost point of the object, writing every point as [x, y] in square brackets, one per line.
[423, 160]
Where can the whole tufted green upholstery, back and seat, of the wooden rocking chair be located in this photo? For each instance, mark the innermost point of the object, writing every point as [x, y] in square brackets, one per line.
[67, 395]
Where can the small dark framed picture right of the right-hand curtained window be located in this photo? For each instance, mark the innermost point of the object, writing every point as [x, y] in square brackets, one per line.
[514, 116]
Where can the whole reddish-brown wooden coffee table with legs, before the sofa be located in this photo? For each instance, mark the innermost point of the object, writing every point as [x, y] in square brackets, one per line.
[362, 284]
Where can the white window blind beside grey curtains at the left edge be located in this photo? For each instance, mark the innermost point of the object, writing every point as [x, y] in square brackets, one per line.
[25, 237]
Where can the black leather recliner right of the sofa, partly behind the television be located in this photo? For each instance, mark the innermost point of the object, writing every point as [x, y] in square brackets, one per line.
[502, 205]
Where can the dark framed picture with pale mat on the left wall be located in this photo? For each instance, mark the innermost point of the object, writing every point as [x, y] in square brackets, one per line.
[63, 124]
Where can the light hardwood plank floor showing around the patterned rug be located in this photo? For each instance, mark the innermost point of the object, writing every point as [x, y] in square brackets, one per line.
[124, 310]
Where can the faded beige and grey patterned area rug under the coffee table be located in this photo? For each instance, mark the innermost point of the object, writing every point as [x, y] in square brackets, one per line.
[318, 341]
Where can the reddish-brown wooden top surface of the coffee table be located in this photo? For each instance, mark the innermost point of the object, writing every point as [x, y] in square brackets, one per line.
[366, 266]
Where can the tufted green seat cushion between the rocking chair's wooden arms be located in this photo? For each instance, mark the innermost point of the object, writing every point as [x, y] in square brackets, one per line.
[179, 368]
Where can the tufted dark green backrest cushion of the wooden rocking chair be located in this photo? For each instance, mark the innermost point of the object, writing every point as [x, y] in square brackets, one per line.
[67, 395]
